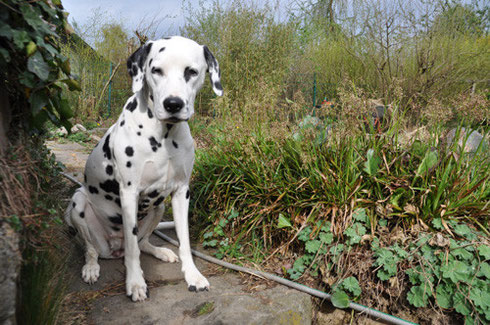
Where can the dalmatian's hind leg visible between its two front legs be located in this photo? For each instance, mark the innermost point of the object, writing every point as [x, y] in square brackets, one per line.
[161, 253]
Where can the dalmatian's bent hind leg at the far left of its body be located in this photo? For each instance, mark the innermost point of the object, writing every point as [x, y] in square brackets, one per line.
[76, 216]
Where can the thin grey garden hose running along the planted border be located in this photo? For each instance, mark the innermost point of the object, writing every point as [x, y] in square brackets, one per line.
[317, 293]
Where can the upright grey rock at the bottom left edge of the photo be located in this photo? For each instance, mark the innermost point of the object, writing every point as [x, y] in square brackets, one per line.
[10, 258]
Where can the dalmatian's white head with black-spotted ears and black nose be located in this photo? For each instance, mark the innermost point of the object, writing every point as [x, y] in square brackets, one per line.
[174, 70]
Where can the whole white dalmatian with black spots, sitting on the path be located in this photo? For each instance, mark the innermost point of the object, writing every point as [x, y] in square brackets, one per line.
[143, 158]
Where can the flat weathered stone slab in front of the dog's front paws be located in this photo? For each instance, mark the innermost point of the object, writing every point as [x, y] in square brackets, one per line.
[225, 303]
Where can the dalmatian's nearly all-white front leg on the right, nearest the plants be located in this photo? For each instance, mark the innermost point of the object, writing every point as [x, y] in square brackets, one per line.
[180, 206]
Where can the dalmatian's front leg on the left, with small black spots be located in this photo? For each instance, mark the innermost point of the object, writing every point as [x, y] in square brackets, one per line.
[136, 287]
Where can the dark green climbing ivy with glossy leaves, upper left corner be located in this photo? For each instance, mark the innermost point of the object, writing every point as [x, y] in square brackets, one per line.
[31, 64]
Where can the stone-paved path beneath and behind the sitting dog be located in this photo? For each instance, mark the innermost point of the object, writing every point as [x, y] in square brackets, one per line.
[227, 302]
